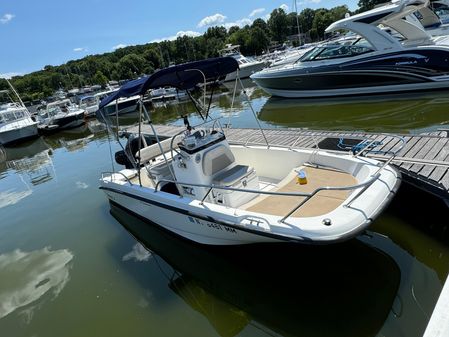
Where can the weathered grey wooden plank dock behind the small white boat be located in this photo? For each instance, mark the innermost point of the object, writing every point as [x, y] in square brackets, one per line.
[423, 159]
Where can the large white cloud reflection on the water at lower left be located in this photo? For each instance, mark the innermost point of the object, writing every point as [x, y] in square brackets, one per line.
[28, 276]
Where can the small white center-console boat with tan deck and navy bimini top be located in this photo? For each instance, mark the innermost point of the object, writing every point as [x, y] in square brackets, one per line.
[199, 186]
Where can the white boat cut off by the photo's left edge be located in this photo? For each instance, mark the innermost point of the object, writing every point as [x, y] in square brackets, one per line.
[15, 120]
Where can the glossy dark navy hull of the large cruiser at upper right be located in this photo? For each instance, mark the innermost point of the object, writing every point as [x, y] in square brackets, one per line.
[398, 72]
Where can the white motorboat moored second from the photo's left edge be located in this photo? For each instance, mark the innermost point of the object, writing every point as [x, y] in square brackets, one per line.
[60, 115]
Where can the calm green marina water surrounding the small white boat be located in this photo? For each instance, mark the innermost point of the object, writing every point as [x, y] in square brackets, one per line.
[70, 267]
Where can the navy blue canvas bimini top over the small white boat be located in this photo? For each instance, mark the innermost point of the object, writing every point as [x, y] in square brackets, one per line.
[184, 76]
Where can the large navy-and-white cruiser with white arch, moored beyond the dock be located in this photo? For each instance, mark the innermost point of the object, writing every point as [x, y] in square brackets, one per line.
[376, 62]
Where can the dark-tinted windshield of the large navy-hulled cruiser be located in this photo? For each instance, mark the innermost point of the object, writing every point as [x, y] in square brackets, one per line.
[337, 50]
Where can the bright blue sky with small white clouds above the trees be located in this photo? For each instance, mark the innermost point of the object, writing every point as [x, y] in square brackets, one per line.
[34, 34]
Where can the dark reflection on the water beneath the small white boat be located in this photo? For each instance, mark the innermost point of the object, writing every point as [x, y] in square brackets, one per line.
[338, 290]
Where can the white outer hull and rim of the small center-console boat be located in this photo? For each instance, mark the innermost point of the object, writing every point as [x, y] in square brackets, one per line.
[213, 224]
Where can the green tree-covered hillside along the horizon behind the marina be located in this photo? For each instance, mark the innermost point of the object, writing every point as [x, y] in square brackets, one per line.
[133, 61]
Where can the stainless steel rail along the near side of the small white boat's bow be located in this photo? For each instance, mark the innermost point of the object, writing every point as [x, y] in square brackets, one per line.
[307, 196]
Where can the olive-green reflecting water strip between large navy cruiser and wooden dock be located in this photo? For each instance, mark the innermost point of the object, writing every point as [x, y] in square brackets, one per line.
[399, 113]
